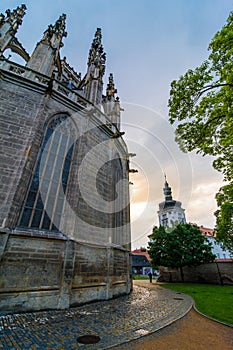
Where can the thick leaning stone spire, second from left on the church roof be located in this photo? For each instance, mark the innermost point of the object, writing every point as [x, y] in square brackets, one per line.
[46, 53]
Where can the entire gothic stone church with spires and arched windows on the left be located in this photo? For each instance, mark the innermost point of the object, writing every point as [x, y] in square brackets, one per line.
[64, 224]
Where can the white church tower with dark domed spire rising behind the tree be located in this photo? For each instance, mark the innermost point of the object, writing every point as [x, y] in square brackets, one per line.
[170, 212]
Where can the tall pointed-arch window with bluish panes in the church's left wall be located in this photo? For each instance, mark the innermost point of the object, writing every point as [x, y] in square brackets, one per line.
[45, 199]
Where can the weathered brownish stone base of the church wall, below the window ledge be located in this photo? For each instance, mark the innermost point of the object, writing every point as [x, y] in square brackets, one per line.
[50, 272]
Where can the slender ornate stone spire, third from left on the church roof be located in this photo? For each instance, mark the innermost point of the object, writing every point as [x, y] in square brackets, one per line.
[93, 86]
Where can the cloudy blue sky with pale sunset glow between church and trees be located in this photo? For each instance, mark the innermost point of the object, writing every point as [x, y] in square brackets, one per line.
[148, 44]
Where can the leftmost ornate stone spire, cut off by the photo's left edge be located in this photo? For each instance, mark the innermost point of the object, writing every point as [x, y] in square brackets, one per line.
[9, 25]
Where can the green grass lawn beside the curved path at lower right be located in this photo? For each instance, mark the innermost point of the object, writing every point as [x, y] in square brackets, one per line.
[213, 301]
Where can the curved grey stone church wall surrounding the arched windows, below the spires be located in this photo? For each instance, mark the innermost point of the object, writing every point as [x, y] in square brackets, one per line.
[90, 258]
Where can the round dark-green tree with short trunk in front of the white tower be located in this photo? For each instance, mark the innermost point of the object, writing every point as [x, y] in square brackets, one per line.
[182, 246]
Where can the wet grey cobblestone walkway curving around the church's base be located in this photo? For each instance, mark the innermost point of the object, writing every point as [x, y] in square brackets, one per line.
[114, 322]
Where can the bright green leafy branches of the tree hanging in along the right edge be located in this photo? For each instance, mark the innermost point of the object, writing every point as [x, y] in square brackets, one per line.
[201, 105]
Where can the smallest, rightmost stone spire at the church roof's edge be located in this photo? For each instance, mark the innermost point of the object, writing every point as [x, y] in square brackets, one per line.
[111, 103]
